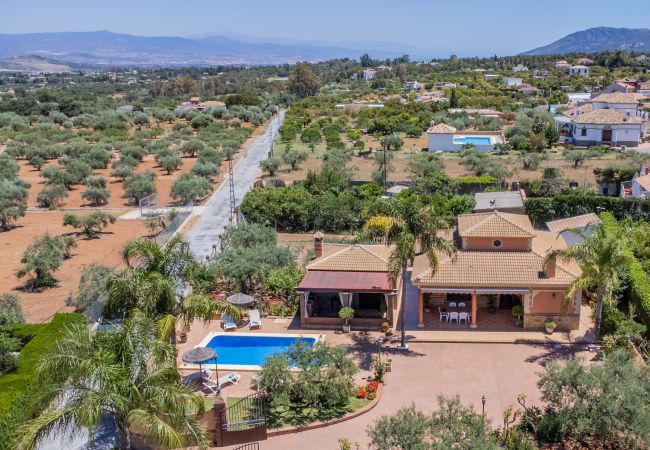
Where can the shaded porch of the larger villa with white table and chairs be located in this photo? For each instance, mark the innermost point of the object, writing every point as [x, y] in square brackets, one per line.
[460, 308]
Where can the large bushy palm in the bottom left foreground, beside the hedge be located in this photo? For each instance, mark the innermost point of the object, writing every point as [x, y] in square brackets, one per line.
[127, 373]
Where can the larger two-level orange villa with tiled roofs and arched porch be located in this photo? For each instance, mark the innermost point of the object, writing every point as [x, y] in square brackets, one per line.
[499, 264]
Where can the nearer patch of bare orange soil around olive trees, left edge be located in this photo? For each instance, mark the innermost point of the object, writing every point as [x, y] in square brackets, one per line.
[40, 306]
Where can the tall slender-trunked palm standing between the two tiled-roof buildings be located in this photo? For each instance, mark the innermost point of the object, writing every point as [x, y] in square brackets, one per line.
[411, 234]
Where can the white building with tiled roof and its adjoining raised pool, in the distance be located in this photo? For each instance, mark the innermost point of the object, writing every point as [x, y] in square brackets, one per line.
[443, 137]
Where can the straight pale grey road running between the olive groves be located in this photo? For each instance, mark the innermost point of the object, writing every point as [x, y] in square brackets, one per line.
[215, 217]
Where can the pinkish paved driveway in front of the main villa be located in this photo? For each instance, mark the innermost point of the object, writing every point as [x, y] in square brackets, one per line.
[498, 371]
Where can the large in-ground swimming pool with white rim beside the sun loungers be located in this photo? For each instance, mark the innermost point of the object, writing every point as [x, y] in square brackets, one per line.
[249, 351]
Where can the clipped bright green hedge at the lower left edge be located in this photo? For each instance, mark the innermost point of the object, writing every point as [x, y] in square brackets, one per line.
[16, 388]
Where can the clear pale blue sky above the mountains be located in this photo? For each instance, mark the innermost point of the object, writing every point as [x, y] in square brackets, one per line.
[464, 27]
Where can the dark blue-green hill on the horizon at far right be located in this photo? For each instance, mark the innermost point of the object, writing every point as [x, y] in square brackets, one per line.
[598, 40]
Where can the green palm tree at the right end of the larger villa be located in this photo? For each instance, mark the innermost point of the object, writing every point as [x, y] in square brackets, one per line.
[600, 255]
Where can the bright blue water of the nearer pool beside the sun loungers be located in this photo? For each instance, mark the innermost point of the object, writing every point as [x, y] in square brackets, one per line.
[251, 350]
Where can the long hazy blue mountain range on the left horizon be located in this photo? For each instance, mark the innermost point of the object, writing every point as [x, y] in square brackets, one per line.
[107, 48]
